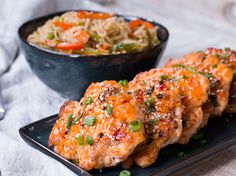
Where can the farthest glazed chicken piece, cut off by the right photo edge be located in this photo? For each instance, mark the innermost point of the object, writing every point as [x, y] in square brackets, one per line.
[227, 57]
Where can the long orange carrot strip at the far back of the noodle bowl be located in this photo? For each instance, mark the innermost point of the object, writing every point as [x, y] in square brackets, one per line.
[94, 15]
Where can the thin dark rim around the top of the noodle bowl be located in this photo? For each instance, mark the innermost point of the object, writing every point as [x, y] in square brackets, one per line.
[88, 57]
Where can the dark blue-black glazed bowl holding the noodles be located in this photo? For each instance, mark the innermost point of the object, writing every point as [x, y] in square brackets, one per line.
[71, 74]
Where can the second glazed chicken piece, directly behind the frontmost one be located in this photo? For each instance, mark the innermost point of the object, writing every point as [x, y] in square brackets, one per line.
[160, 101]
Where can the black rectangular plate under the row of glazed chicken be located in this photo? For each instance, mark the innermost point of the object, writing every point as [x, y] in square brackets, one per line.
[219, 134]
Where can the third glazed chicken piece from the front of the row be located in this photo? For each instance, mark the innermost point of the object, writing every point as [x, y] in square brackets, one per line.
[194, 93]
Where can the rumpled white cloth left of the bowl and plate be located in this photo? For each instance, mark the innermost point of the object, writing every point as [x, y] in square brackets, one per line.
[26, 98]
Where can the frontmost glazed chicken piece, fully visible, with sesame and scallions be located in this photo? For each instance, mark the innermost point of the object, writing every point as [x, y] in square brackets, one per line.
[101, 130]
